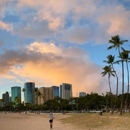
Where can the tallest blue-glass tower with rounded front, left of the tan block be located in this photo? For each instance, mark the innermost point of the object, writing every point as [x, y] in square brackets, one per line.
[29, 92]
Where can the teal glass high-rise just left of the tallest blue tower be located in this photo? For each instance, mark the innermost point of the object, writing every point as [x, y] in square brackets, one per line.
[15, 92]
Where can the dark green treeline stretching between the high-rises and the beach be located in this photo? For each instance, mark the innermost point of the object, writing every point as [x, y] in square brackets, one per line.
[89, 102]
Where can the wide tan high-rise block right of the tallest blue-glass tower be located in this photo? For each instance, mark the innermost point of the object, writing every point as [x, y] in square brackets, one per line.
[46, 94]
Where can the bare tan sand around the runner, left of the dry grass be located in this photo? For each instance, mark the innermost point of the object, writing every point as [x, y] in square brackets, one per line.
[33, 121]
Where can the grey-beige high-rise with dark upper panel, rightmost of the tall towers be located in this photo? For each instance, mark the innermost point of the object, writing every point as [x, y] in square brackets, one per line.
[65, 91]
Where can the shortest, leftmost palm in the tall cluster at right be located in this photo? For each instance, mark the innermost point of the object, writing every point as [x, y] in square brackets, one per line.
[108, 70]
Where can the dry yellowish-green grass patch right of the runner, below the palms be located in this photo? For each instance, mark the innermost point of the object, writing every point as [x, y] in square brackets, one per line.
[94, 121]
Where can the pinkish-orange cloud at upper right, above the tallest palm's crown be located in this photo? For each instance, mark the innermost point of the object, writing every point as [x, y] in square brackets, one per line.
[116, 21]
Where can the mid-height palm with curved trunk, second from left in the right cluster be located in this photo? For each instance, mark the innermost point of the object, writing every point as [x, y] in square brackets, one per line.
[110, 61]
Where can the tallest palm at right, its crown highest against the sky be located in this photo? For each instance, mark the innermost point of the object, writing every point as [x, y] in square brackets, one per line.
[116, 43]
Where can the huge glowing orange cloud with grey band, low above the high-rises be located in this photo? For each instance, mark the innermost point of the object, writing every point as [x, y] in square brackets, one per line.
[47, 65]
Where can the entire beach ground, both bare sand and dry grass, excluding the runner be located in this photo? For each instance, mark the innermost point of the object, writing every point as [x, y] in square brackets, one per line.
[32, 121]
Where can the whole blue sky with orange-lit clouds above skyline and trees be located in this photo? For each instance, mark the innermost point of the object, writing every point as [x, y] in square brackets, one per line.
[51, 42]
